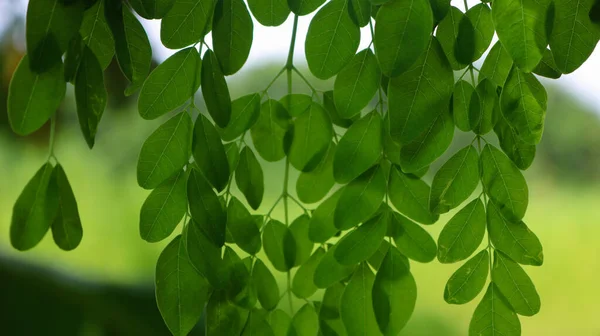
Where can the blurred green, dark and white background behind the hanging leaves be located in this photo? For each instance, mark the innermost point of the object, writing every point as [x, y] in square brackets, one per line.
[105, 286]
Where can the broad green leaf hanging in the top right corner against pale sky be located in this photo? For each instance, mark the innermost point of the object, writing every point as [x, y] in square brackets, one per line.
[573, 36]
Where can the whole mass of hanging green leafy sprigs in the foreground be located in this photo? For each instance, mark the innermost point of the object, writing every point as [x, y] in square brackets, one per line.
[361, 150]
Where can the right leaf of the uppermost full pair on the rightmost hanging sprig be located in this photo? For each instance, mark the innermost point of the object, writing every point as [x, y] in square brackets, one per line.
[504, 183]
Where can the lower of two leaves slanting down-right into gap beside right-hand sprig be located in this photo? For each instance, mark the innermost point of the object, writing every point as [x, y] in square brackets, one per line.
[412, 240]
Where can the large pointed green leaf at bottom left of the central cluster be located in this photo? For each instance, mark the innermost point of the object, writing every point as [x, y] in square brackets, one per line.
[180, 291]
